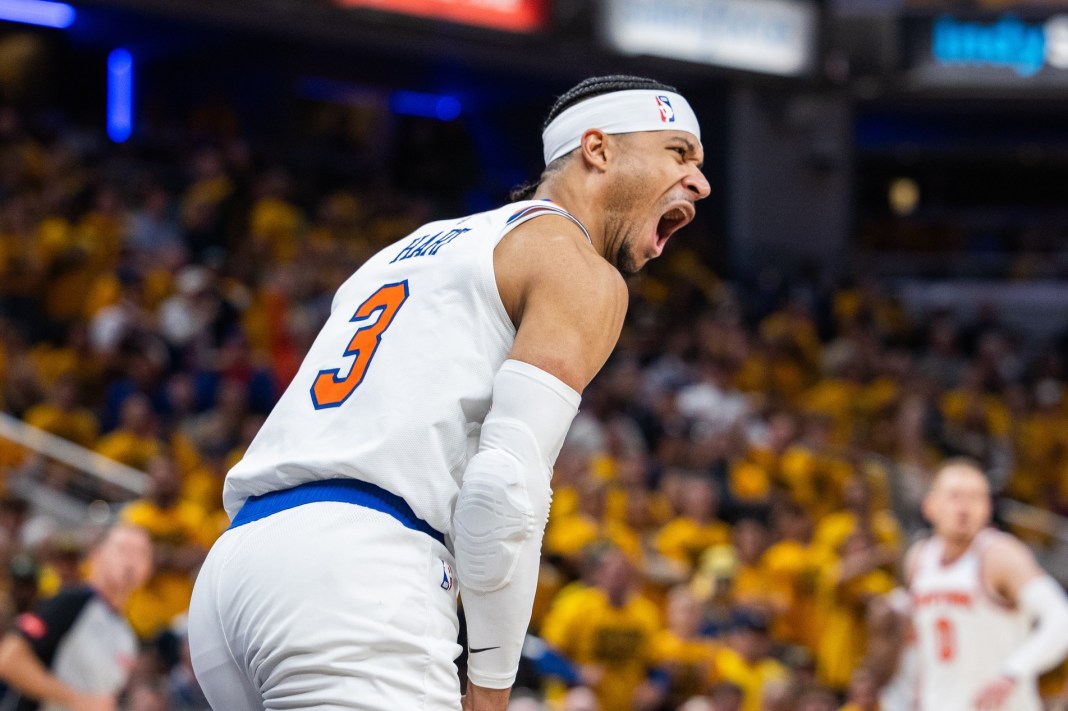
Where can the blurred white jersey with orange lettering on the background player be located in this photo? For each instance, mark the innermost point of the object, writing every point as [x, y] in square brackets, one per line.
[964, 635]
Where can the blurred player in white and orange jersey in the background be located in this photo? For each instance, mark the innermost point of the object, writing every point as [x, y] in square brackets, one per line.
[987, 620]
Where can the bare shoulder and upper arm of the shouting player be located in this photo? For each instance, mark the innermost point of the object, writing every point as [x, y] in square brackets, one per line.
[567, 302]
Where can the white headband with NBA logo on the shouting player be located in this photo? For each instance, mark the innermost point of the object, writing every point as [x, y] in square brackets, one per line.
[619, 113]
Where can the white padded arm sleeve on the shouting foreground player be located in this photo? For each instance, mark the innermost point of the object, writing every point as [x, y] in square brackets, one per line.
[501, 513]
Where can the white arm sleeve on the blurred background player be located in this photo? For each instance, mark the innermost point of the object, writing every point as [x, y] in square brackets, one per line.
[1044, 601]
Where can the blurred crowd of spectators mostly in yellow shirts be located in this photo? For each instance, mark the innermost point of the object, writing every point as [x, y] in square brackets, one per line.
[739, 487]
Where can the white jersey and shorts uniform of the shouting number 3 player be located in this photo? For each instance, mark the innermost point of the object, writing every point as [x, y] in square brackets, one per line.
[334, 606]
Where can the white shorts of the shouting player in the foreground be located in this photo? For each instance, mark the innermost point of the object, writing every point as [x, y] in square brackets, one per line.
[326, 606]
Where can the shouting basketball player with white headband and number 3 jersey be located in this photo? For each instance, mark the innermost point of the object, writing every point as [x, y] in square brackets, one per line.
[412, 455]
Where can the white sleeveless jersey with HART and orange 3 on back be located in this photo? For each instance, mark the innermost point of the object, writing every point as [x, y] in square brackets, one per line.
[398, 384]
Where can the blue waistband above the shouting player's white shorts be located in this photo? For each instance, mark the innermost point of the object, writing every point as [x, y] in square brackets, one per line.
[347, 492]
